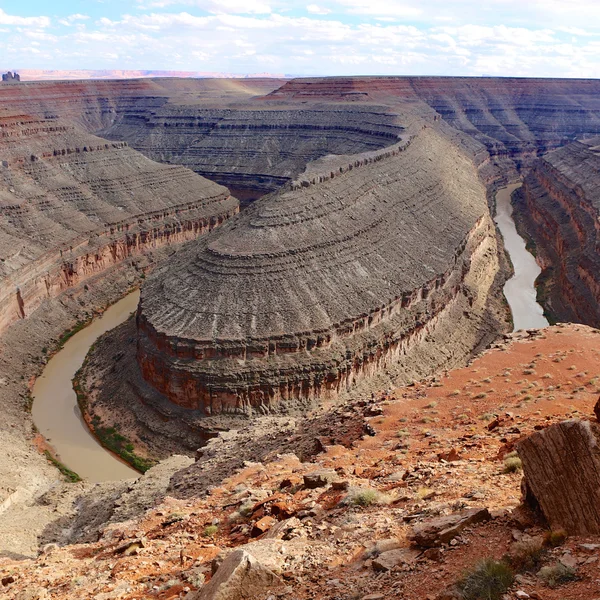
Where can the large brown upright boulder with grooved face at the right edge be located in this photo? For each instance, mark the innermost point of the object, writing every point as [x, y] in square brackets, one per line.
[561, 465]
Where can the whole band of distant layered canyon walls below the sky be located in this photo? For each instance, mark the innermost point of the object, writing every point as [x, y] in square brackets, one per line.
[255, 135]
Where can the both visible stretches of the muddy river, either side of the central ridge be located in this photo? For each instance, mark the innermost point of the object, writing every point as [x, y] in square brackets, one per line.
[57, 415]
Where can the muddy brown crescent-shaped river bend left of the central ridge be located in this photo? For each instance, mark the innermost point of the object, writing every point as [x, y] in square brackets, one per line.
[55, 410]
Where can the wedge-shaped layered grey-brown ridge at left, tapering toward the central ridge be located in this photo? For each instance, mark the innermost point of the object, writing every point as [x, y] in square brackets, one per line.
[73, 205]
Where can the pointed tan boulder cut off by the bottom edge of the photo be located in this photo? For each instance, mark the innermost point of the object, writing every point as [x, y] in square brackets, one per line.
[239, 577]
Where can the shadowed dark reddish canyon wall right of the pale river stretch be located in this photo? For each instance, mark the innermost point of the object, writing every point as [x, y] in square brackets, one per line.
[560, 207]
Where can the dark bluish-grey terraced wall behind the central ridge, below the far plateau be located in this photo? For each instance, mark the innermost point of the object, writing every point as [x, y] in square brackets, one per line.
[254, 151]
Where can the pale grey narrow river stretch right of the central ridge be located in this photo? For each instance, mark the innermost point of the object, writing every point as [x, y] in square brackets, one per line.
[520, 288]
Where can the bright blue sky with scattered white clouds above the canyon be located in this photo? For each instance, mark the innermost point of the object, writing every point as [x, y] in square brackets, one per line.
[542, 38]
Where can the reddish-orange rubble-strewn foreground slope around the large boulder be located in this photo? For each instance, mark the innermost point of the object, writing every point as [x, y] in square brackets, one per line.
[407, 510]
